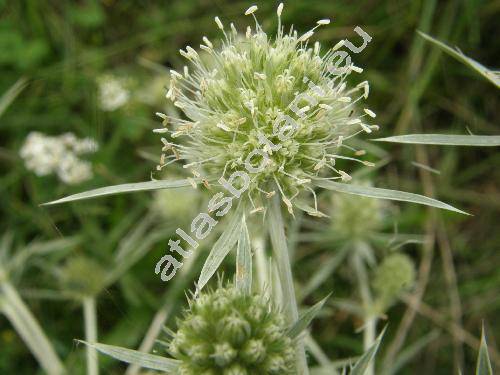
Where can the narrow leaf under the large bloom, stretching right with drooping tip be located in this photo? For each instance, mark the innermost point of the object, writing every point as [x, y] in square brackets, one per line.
[396, 195]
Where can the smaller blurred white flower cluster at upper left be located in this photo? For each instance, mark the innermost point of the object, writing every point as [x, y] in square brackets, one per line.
[113, 92]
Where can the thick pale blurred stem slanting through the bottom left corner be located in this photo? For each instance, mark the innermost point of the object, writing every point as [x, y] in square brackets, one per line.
[29, 329]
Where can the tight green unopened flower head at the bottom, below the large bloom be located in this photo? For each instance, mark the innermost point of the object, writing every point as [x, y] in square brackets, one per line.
[228, 332]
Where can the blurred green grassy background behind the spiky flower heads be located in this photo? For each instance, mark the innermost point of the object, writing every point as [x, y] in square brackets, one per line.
[80, 83]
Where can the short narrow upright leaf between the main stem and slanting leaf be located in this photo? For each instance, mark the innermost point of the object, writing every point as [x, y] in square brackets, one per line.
[244, 260]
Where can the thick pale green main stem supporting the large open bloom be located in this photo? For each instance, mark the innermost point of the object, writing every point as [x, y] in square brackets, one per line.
[281, 257]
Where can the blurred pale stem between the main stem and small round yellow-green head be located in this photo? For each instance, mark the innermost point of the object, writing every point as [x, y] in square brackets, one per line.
[369, 320]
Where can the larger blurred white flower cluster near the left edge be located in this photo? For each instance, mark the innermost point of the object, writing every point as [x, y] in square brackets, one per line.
[45, 155]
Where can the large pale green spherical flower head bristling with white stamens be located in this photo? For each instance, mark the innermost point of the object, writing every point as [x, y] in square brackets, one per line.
[235, 96]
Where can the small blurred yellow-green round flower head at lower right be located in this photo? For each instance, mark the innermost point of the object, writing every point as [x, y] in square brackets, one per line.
[393, 276]
